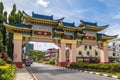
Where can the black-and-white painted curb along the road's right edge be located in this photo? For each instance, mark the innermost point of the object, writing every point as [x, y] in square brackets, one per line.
[97, 73]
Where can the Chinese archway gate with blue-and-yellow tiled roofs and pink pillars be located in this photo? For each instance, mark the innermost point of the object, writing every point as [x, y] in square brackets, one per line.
[42, 28]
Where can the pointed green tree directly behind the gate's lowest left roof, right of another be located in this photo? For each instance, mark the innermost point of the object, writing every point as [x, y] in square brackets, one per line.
[14, 18]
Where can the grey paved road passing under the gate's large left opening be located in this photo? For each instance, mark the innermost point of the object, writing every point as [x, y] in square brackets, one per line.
[48, 72]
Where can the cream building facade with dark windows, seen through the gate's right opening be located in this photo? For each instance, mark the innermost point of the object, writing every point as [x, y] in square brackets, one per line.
[88, 53]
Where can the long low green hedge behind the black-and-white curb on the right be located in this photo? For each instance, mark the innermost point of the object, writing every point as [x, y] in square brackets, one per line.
[113, 67]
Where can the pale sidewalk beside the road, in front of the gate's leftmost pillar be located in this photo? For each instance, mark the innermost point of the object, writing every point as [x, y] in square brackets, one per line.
[23, 74]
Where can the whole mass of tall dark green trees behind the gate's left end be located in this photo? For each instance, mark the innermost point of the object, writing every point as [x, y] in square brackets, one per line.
[6, 39]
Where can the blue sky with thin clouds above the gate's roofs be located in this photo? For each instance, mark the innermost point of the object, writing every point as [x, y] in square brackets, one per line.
[101, 11]
